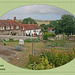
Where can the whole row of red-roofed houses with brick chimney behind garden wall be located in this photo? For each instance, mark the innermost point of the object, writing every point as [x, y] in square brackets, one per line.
[11, 26]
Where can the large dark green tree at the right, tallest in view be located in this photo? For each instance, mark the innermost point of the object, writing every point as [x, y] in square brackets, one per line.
[65, 25]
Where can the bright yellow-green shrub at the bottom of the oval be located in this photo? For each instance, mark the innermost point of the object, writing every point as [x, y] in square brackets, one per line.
[44, 64]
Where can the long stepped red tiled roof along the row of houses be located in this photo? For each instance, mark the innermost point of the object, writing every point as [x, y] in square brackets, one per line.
[13, 23]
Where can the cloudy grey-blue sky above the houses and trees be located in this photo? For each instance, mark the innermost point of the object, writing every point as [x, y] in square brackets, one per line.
[38, 12]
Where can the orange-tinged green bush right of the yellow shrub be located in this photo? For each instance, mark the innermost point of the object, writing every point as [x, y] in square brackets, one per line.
[58, 57]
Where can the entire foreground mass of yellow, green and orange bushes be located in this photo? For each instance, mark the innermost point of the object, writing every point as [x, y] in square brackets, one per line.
[50, 59]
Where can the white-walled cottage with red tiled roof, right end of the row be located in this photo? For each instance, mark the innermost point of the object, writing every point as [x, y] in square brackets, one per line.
[31, 29]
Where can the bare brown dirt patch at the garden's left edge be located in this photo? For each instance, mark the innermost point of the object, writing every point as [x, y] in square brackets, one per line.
[7, 52]
